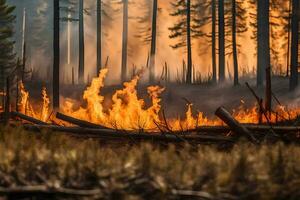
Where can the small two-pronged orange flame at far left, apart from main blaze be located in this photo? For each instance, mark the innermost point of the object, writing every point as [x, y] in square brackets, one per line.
[26, 107]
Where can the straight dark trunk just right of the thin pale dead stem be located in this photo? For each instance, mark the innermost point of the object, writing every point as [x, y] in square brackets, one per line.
[81, 43]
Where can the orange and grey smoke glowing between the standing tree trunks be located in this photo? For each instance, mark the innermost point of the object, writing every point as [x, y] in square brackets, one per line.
[39, 36]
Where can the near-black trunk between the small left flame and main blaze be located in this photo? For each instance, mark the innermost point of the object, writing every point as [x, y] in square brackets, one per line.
[56, 52]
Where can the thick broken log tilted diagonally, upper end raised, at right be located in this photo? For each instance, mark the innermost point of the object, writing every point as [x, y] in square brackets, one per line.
[234, 125]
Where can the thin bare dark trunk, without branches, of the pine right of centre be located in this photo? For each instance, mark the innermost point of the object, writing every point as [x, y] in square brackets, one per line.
[189, 44]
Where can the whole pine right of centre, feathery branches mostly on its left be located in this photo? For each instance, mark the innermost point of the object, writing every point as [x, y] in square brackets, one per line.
[183, 29]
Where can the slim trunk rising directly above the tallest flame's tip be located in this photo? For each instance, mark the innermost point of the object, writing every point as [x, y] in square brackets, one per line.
[99, 38]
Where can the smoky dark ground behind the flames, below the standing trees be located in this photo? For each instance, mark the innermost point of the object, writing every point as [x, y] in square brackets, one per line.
[205, 98]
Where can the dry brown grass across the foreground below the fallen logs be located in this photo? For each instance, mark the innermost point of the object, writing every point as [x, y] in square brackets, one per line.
[147, 171]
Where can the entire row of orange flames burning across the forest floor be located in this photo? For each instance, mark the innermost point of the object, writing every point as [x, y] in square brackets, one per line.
[129, 112]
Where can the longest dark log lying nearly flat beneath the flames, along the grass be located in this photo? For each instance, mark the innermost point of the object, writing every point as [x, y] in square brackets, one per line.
[117, 134]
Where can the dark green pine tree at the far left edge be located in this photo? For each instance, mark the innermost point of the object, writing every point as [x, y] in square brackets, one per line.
[7, 55]
